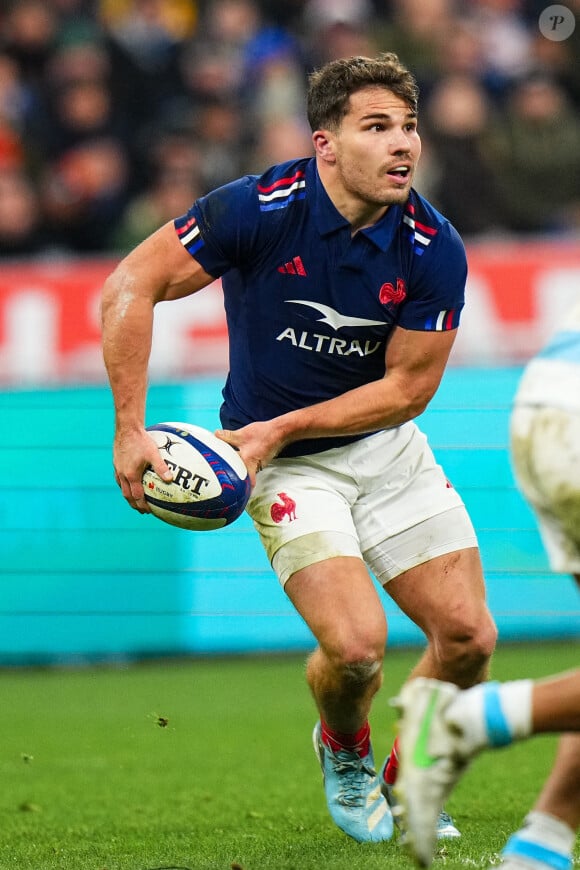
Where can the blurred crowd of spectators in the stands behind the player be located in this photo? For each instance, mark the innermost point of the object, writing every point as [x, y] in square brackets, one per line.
[116, 114]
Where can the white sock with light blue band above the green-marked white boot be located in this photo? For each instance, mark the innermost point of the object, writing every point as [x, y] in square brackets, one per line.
[492, 714]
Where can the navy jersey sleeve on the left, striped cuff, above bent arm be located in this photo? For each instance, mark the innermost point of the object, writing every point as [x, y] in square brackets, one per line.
[219, 229]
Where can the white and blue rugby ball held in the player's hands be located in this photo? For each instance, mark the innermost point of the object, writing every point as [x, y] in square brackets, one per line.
[210, 486]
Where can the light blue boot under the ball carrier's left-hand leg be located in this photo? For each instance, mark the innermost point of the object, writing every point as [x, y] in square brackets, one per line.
[353, 792]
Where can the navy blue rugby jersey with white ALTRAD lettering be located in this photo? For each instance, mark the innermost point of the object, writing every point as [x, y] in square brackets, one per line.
[309, 307]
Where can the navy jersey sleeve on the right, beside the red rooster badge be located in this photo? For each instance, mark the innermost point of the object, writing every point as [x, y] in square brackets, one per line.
[436, 290]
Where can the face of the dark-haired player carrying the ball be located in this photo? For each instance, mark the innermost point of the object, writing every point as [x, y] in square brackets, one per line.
[377, 148]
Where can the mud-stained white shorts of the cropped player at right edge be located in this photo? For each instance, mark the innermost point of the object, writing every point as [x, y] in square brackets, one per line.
[545, 449]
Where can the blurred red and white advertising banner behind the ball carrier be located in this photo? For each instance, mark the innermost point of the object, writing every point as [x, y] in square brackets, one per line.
[49, 315]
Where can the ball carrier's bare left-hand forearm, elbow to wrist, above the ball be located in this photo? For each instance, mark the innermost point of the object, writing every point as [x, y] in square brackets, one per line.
[127, 325]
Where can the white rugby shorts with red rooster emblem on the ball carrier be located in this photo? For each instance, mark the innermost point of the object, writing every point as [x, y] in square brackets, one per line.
[383, 499]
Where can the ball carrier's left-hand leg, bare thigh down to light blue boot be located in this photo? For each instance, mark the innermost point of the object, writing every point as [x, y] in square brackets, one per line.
[338, 601]
